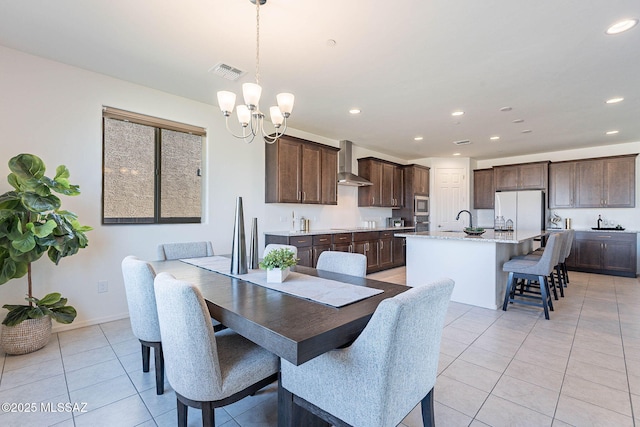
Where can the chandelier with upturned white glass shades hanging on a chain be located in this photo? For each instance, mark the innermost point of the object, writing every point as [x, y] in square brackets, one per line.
[249, 115]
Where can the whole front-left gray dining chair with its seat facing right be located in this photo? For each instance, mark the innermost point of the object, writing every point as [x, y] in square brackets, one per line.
[206, 371]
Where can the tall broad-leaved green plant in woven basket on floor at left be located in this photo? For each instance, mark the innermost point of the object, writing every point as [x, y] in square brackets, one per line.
[32, 223]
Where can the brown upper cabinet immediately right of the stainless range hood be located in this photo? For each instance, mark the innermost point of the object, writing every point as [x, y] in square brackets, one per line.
[387, 178]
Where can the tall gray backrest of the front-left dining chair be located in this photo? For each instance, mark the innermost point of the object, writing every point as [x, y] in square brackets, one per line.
[188, 341]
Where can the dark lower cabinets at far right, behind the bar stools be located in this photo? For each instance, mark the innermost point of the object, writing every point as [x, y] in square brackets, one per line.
[604, 252]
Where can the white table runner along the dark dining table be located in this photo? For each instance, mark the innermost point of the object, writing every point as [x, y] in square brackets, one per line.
[324, 291]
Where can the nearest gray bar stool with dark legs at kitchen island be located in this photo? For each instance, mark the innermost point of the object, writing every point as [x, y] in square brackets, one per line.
[533, 270]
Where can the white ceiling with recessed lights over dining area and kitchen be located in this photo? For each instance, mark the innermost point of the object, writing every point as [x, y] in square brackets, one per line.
[406, 64]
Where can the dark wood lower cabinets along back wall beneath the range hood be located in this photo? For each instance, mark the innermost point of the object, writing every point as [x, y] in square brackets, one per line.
[381, 248]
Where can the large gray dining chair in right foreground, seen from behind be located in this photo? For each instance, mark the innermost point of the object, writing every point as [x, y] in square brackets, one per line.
[389, 369]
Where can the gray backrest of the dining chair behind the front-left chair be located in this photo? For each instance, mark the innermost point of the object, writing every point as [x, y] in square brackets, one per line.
[138, 278]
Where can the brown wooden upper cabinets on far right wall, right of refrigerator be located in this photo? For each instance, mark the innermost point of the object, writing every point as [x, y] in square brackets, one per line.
[593, 183]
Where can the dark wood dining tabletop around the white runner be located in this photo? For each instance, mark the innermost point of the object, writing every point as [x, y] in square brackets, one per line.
[293, 328]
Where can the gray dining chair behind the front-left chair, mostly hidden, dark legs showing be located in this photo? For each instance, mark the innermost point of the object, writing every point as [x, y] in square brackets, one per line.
[138, 278]
